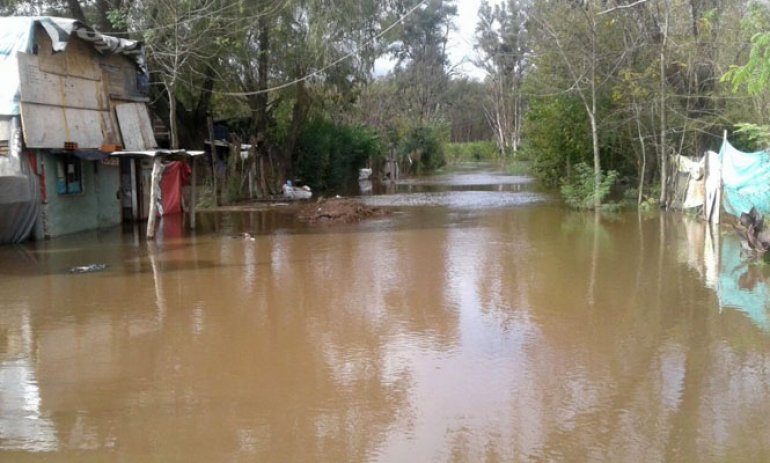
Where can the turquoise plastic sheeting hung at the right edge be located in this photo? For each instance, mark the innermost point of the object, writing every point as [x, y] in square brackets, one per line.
[745, 180]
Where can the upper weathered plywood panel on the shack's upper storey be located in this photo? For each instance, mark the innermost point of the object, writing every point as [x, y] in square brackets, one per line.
[51, 89]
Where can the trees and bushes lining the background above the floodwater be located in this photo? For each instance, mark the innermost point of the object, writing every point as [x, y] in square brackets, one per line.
[572, 90]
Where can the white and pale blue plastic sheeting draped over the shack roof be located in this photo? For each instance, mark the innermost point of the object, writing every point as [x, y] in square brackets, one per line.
[17, 35]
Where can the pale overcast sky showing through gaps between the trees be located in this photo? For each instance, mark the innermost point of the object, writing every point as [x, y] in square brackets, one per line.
[460, 47]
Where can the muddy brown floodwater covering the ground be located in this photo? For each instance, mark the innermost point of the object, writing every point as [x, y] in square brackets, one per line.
[478, 321]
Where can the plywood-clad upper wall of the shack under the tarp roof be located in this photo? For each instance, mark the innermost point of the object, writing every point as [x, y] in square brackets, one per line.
[68, 97]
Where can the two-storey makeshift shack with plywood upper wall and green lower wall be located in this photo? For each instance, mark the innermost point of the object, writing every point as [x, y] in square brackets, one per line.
[69, 96]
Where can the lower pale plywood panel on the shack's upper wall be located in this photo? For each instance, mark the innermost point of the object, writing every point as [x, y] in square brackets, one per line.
[50, 127]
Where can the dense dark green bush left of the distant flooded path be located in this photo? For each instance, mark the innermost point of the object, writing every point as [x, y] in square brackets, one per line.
[329, 155]
